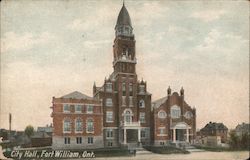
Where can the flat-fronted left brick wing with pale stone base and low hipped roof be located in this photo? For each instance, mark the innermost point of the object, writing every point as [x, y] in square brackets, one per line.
[77, 121]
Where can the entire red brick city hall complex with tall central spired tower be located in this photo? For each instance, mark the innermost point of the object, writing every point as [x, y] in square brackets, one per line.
[120, 112]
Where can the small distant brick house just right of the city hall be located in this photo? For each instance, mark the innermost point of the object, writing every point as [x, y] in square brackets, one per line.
[215, 129]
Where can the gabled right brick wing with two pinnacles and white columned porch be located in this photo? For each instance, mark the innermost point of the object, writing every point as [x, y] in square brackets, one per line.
[174, 120]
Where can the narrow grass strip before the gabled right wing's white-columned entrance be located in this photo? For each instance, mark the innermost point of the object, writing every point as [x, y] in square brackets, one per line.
[166, 150]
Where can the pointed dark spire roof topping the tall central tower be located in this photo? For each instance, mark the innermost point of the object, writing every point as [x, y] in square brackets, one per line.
[123, 17]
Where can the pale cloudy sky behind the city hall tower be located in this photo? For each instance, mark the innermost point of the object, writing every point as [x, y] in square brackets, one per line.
[52, 48]
